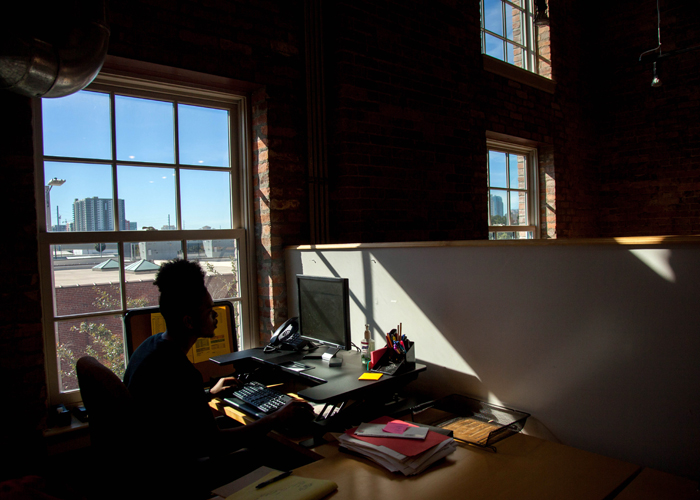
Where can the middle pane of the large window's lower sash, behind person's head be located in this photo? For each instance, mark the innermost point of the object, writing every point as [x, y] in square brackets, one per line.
[140, 274]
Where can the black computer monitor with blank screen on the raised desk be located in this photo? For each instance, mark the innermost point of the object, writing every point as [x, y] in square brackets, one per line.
[324, 310]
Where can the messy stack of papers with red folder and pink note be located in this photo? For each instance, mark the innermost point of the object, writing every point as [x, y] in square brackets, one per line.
[398, 454]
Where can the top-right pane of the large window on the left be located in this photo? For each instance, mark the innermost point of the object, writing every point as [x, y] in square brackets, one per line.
[204, 136]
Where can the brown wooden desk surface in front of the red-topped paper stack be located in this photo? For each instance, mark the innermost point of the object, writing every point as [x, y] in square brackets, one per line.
[523, 468]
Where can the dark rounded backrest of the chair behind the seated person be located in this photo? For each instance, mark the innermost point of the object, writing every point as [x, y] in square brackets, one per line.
[108, 403]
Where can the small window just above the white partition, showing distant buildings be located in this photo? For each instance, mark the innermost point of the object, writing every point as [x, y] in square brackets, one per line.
[512, 186]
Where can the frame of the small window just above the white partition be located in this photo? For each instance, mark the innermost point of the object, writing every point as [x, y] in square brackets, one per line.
[532, 178]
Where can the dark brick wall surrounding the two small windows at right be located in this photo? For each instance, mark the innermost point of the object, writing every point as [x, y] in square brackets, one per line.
[409, 108]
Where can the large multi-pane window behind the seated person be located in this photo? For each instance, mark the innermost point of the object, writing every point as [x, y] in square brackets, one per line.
[133, 174]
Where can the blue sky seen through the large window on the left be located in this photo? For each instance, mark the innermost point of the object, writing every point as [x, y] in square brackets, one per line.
[78, 126]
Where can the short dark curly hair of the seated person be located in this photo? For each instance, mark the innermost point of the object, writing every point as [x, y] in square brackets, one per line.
[181, 286]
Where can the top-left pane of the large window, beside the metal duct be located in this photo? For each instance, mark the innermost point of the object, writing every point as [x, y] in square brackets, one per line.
[77, 126]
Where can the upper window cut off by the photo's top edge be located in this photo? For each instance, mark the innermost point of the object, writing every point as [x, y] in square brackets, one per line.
[509, 34]
